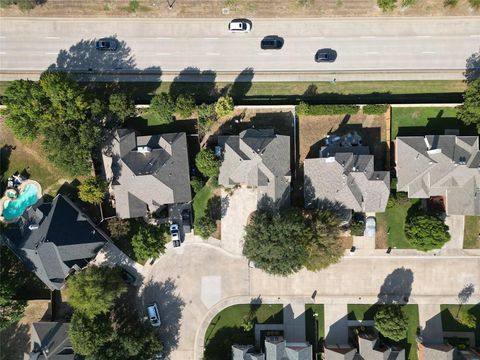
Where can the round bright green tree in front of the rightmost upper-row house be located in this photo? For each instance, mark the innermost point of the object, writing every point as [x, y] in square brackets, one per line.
[426, 232]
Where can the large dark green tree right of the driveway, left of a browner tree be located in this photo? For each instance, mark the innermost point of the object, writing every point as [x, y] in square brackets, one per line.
[278, 242]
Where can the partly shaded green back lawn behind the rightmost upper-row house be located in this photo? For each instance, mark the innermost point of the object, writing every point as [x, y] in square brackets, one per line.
[426, 121]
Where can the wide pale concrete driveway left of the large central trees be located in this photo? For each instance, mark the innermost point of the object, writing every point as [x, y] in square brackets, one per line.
[236, 209]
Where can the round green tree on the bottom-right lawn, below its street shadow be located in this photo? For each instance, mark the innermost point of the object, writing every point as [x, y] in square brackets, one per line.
[391, 322]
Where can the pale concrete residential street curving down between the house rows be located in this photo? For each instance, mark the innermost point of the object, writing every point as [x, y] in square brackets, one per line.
[193, 285]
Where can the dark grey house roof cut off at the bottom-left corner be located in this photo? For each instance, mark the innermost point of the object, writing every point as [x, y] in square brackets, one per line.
[49, 340]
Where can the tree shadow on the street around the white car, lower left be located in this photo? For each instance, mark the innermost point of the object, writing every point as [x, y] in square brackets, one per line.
[170, 305]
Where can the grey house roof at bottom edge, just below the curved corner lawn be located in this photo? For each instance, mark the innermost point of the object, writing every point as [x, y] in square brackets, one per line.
[276, 348]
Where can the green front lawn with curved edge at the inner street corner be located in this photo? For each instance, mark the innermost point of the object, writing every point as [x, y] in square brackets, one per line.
[226, 328]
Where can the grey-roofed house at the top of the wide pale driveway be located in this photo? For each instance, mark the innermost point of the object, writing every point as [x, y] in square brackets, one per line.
[259, 159]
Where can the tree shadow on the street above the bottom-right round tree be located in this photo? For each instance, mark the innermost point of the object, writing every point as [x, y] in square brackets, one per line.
[397, 287]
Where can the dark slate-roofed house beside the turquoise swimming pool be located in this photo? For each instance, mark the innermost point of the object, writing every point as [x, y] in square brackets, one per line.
[54, 240]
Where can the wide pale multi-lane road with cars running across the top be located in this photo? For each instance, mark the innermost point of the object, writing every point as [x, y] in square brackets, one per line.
[421, 45]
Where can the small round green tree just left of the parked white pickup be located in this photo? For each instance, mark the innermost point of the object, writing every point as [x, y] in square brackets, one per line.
[149, 242]
